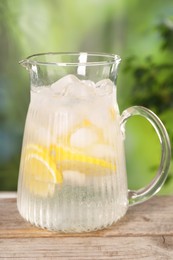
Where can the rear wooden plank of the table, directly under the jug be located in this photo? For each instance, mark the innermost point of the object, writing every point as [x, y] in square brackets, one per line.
[154, 217]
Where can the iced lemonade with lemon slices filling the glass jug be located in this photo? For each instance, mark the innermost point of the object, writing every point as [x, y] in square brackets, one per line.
[72, 172]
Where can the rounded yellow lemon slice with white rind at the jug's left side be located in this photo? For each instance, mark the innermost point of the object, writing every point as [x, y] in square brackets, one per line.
[40, 171]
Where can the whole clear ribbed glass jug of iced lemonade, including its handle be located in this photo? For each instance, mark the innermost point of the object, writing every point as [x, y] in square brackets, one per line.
[72, 172]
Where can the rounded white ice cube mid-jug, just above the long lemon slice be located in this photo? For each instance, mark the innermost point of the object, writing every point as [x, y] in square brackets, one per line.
[83, 137]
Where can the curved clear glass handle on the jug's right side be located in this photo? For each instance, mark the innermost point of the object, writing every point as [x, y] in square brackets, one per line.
[143, 194]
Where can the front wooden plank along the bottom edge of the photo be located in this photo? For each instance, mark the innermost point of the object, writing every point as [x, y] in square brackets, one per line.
[88, 248]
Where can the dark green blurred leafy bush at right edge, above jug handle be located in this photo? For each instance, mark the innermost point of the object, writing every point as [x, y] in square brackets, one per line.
[152, 80]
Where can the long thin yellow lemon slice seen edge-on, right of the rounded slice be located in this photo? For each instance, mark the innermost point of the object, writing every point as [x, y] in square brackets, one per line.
[67, 159]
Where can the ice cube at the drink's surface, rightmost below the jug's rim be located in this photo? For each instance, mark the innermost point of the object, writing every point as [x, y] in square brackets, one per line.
[104, 87]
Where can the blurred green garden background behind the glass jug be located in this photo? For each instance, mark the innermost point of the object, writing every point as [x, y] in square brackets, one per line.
[141, 32]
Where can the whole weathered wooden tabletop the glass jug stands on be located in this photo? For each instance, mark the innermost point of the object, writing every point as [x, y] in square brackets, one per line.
[146, 232]
